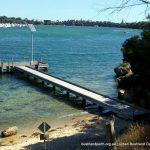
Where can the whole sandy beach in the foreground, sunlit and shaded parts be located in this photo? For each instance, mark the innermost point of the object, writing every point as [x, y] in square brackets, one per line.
[72, 134]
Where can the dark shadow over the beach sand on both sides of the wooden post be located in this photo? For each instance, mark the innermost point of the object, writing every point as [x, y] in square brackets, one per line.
[89, 133]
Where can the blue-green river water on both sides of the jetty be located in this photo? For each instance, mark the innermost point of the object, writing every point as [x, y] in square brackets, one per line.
[83, 55]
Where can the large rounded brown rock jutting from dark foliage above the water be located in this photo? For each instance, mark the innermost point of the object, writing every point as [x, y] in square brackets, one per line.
[123, 69]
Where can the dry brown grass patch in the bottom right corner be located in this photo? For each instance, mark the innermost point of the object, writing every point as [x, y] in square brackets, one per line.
[136, 135]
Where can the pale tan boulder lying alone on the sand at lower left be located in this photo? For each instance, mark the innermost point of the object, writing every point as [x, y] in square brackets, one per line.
[9, 131]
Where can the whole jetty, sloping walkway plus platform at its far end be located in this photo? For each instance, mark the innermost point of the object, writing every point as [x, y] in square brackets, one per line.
[33, 70]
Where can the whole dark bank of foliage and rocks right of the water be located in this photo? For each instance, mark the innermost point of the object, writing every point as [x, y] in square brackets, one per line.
[133, 75]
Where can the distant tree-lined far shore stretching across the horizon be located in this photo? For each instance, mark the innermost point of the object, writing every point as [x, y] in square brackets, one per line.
[19, 21]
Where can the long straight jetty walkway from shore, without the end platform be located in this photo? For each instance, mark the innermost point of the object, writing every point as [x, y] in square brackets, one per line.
[122, 109]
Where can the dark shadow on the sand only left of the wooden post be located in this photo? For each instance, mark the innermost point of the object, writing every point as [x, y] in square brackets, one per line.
[89, 133]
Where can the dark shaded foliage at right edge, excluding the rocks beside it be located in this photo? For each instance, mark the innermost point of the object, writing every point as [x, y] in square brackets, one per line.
[136, 51]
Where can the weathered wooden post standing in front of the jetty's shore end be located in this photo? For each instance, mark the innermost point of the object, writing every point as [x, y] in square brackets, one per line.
[110, 133]
